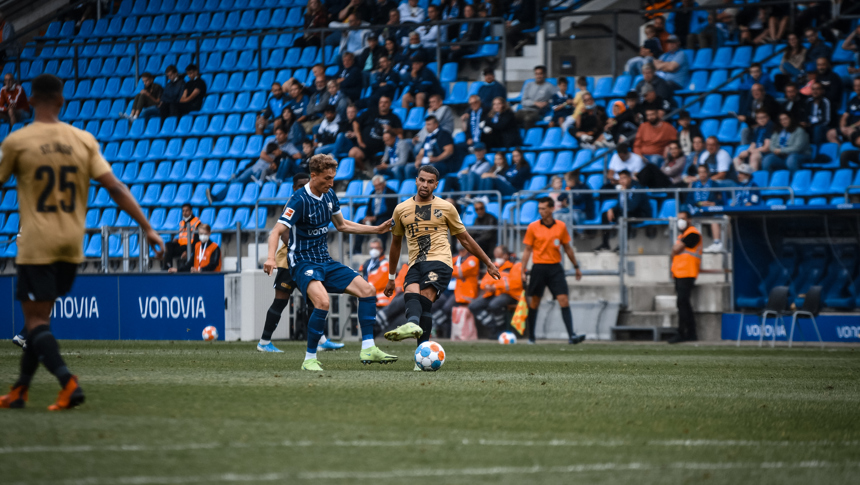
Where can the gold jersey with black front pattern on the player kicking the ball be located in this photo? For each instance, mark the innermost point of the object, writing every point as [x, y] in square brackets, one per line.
[426, 227]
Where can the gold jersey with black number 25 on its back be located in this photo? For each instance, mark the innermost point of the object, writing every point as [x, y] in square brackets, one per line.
[53, 163]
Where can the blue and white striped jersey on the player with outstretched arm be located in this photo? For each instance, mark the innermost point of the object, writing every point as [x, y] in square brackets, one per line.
[308, 216]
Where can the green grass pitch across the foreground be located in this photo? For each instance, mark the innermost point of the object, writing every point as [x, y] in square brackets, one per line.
[195, 412]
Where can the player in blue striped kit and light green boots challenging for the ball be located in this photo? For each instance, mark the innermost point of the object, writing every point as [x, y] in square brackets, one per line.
[304, 229]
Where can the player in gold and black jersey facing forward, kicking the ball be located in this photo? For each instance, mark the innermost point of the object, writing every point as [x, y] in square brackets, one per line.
[426, 220]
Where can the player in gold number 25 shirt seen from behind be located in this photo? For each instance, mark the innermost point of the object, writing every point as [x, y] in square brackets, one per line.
[53, 163]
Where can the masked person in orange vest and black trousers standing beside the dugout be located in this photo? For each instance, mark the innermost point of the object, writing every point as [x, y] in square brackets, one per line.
[686, 262]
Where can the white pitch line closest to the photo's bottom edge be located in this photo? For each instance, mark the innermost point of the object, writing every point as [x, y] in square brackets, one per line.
[435, 472]
